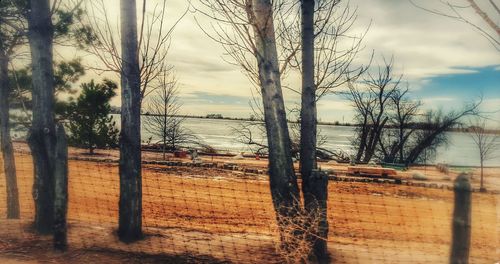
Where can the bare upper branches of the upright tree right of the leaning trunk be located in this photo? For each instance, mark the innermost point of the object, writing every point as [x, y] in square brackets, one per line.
[336, 46]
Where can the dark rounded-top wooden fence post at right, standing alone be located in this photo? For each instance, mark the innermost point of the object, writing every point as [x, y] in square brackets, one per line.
[461, 222]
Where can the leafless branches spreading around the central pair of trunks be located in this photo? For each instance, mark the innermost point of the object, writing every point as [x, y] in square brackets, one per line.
[336, 48]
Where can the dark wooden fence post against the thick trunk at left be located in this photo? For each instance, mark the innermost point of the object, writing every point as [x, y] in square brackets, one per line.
[61, 190]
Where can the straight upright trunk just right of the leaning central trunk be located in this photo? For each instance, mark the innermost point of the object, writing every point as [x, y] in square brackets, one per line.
[313, 189]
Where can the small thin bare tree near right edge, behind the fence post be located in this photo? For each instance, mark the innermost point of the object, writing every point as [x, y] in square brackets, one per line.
[487, 142]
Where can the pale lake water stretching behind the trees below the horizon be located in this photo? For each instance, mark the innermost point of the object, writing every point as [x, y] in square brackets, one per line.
[220, 134]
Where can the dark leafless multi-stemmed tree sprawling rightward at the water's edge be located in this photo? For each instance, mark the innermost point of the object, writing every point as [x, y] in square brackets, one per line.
[393, 128]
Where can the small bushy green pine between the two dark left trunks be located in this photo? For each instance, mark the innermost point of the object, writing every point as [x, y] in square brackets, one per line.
[90, 125]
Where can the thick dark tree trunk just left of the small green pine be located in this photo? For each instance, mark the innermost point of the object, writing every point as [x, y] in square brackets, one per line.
[42, 133]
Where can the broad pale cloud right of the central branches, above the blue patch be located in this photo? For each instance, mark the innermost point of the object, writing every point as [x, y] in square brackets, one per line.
[423, 44]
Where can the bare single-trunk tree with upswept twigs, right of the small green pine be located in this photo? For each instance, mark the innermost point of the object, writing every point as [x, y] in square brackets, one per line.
[140, 60]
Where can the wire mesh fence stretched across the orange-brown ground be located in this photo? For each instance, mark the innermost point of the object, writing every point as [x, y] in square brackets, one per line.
[215, 212]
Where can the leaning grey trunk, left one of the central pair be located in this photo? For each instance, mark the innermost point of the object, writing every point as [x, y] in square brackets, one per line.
[283, 181]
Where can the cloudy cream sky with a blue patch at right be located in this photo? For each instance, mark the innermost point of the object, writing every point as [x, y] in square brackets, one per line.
[446, 63]
